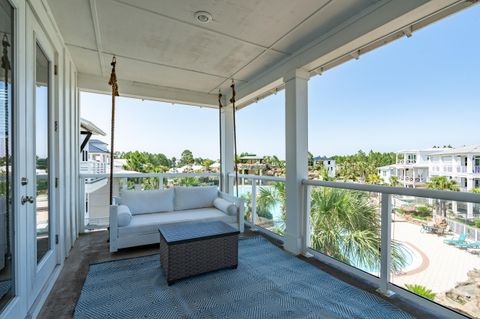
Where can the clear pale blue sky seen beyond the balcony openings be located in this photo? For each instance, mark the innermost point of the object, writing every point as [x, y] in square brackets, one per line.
[413, 93]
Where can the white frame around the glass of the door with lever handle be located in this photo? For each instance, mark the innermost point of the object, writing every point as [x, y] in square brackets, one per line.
[39, 274]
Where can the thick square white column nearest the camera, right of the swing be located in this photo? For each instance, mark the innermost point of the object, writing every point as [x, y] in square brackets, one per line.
[296, 130]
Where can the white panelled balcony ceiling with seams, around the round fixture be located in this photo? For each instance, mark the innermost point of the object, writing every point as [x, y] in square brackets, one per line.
[158, 41]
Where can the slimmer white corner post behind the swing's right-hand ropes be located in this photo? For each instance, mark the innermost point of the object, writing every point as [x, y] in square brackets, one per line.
[227, 152]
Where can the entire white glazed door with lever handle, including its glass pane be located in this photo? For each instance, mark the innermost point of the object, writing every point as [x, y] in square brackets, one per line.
[40, 196]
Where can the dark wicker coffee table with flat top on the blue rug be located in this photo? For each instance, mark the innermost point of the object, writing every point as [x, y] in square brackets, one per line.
[191, 249]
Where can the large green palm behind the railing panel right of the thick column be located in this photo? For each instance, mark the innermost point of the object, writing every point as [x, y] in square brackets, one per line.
[346, 226]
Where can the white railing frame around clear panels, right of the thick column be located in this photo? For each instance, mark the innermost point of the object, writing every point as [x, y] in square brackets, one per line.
[383, 279]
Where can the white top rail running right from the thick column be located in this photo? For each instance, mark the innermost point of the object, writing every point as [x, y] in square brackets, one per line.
[415, 192]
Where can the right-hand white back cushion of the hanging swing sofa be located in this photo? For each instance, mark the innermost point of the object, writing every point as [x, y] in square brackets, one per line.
[195, 197]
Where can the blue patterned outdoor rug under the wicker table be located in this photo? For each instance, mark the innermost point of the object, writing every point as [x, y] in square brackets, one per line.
[268, 283]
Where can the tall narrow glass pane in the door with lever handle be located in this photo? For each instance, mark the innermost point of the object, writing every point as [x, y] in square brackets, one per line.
[42, 152]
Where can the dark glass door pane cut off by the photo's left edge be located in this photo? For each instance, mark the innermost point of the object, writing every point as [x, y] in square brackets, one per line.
[6, 160]
